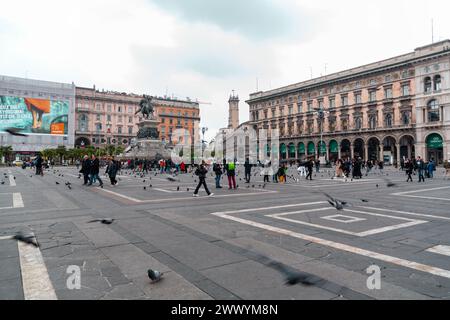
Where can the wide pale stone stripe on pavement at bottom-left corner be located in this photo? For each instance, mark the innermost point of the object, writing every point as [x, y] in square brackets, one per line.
[35, 279]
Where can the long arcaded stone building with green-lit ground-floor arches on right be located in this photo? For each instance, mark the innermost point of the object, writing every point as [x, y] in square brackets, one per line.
[388, 110]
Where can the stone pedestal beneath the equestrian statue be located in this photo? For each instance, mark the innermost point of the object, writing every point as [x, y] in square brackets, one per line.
[148, 145]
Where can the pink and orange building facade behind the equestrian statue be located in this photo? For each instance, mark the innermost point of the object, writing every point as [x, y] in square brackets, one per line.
[109, 118]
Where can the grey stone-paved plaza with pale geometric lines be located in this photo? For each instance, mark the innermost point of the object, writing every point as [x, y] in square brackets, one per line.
[208, 247]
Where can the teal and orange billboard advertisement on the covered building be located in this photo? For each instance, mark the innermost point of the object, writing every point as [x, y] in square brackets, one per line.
[34, 116]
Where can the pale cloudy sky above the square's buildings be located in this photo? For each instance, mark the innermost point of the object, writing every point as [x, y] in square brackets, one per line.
[204, 49]
